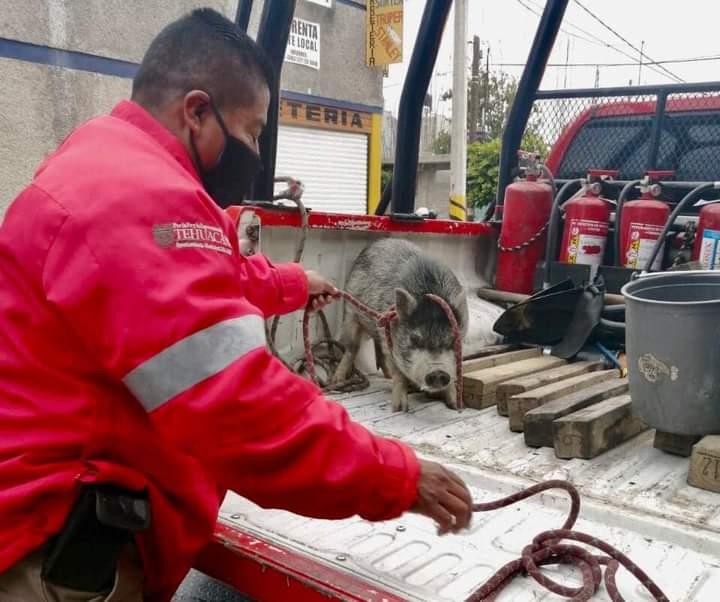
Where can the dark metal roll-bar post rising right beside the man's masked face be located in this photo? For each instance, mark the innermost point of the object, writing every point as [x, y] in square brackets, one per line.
[273, 34]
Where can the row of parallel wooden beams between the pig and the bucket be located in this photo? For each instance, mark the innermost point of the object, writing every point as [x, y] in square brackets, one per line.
[579, 409]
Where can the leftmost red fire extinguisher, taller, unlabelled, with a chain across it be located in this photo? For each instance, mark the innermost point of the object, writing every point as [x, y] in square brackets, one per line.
[524, 229]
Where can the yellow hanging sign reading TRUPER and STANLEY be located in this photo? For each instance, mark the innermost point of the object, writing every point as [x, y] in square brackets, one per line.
[384, 32]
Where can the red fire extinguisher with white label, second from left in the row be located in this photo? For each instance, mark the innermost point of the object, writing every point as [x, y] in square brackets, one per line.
[586, 223]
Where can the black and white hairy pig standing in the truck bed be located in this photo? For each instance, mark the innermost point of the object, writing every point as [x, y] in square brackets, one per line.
[393, 271]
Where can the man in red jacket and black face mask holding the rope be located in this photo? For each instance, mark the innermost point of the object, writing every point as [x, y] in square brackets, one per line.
[135, 383]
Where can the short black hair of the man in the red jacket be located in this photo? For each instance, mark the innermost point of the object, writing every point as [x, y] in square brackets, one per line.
[202, 51]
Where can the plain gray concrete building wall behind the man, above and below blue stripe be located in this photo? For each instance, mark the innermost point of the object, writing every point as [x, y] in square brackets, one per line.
[42, 104]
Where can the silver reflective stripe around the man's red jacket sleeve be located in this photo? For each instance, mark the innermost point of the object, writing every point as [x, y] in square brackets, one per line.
[193, 359]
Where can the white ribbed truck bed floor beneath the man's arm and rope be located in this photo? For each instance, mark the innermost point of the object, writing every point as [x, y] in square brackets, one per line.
[635, 497]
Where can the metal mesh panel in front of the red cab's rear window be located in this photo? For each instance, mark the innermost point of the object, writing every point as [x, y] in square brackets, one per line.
[667, 128]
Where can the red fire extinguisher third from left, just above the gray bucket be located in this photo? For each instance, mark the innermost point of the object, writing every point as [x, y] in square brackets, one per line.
[642, 222]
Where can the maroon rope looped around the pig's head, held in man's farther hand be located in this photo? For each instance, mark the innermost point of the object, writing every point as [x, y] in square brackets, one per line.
[384, 321]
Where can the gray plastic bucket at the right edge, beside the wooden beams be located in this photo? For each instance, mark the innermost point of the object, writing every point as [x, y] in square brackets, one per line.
[673, 350]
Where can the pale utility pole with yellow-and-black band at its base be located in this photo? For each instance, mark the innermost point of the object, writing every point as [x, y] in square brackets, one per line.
[457, 208]
